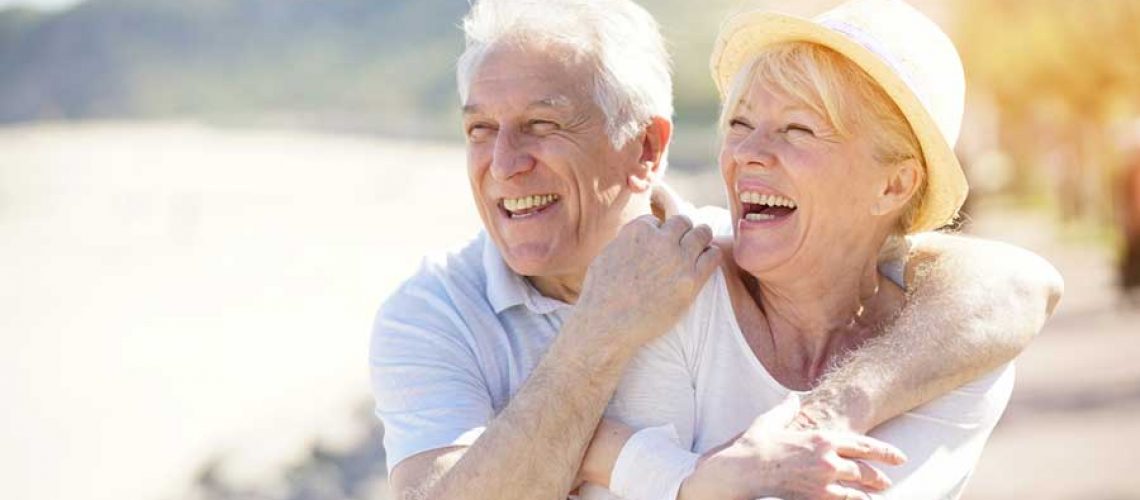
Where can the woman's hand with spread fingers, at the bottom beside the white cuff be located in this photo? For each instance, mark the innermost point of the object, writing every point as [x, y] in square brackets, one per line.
[770, 461]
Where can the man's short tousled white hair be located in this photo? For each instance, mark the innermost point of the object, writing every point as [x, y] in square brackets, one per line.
[632, 81]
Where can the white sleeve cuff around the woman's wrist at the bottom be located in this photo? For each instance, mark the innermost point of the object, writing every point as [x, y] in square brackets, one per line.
[653, 465]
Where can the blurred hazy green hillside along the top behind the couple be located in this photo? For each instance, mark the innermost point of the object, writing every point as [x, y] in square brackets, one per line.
[379, 68]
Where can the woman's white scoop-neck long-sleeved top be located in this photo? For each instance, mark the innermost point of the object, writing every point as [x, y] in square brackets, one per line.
[704, 381]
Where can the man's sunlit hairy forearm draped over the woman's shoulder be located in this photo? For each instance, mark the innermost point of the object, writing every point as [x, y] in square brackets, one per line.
[975, 306]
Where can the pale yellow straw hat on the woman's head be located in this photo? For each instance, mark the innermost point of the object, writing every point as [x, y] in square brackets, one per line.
[903, 51]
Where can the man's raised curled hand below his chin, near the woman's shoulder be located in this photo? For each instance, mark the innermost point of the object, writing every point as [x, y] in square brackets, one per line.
[647, 278]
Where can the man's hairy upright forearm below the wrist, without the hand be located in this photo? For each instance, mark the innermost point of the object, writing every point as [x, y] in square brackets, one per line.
[534, 448]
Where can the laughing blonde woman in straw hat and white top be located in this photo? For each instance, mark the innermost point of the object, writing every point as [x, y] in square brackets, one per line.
[837, 145]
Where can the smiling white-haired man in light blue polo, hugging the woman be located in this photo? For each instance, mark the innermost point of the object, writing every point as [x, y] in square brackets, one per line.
[493, 365]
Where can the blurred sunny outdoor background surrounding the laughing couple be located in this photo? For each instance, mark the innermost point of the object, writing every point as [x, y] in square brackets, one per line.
[203, 203]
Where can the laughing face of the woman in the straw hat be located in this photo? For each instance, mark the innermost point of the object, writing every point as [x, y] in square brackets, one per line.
[801, 194]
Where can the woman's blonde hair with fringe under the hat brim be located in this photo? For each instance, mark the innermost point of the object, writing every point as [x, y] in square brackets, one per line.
[841, 92]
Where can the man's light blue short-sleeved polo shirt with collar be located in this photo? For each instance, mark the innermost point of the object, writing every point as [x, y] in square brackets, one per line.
[453, 345]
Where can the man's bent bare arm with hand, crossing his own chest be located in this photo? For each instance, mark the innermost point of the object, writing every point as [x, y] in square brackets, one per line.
[634, 292]
